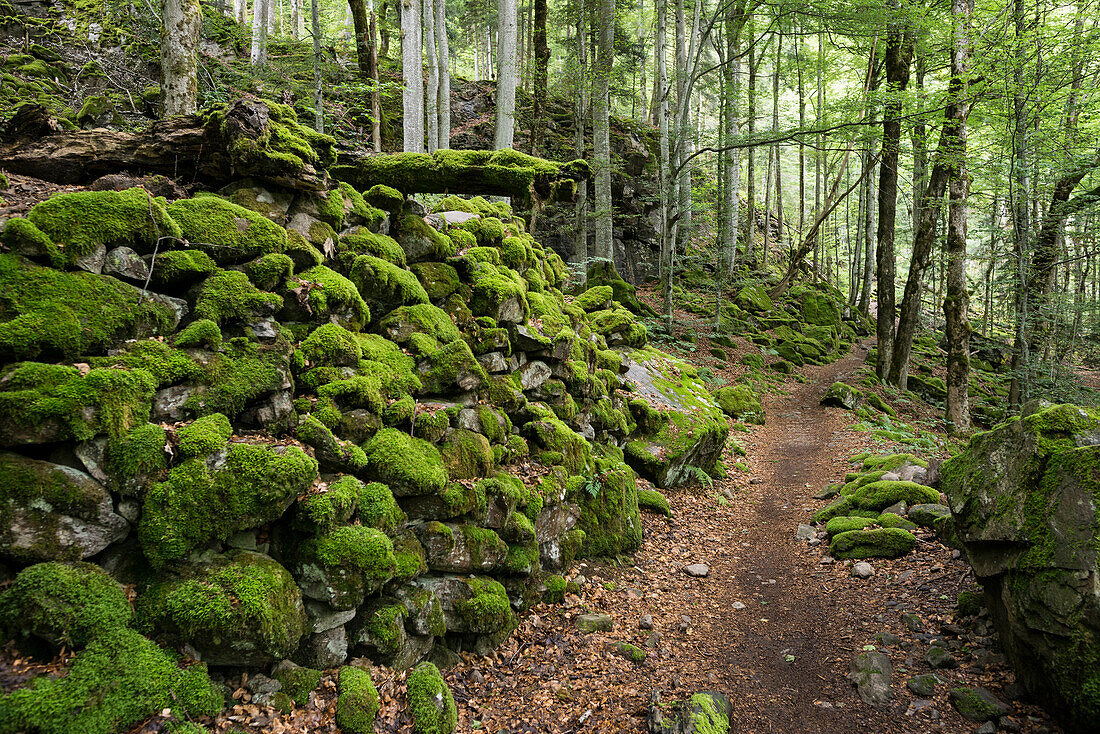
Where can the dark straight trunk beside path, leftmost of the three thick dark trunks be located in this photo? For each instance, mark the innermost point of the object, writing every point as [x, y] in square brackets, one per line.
[898, 57]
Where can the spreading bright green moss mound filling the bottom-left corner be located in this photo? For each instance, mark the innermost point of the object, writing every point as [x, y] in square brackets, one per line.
[118, 682]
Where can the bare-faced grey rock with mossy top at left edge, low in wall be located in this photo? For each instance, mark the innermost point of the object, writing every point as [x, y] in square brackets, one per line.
[59, 514]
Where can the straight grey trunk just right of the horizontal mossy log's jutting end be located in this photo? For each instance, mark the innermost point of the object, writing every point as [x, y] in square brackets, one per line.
[601, 132]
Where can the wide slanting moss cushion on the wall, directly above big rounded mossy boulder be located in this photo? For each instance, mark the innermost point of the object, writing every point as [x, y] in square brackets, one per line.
[252, 486]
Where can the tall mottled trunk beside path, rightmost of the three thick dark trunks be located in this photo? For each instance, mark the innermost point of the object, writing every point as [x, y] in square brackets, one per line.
[956, 300]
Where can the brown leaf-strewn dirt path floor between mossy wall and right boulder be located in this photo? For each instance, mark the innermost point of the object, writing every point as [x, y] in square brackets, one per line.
[774, 626]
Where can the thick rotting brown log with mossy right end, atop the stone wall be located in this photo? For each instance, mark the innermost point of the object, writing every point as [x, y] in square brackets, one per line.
[248, 138]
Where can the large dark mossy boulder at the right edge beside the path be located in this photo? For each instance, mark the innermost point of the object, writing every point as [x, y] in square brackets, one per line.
[1026, 499]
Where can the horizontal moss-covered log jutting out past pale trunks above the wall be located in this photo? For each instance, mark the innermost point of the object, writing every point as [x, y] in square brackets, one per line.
[486, 173]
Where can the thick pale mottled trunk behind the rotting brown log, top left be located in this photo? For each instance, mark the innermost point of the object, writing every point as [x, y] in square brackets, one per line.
[180, 39]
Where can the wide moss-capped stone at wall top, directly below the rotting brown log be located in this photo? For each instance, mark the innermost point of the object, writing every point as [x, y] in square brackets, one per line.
[81, 223]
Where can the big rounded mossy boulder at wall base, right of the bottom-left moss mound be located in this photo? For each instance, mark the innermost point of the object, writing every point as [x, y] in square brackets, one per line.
[238, 609]
